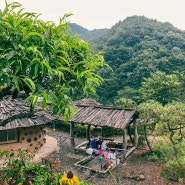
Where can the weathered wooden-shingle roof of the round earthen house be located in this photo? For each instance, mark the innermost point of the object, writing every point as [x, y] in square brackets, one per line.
[15, 113]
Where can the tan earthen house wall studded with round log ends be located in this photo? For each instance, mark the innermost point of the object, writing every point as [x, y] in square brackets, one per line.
[31, 138]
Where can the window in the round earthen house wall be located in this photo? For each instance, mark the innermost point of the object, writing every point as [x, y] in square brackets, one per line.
[8, 136]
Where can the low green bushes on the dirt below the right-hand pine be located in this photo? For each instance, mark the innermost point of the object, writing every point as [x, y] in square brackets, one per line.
[163, 152]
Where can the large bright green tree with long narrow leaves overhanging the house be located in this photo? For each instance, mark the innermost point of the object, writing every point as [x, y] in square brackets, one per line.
[43, 60]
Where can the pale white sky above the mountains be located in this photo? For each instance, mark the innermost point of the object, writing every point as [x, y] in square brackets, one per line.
[95, 14]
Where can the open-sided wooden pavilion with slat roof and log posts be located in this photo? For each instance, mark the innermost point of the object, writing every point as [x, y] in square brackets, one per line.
[92, 113]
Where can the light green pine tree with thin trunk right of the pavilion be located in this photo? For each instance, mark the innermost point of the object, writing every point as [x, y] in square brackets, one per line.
[170, 119]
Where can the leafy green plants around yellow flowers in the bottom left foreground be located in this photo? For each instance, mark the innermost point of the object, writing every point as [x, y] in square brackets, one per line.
[19, 168]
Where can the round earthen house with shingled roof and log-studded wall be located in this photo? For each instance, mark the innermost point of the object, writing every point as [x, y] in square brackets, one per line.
[20, 128]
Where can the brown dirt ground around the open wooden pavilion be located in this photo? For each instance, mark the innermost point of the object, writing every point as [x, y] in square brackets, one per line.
[136, 170]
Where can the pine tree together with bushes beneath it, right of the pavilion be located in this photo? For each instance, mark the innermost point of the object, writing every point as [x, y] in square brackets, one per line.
[168, 121]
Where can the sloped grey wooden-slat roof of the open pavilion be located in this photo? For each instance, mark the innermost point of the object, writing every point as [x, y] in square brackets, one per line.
[98, 115]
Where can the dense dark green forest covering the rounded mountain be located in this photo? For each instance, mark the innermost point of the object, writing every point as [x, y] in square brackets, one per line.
[135, 48]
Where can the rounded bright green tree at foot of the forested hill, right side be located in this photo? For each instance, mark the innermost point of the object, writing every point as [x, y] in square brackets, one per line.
[161, 87]
